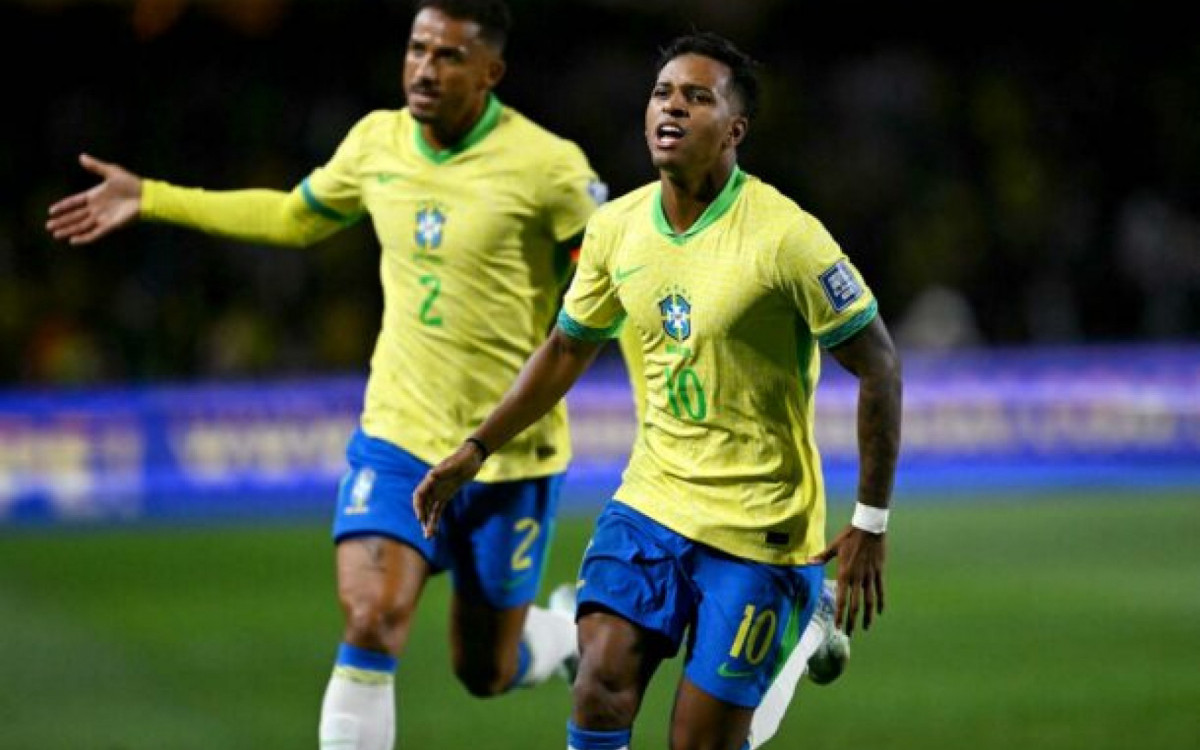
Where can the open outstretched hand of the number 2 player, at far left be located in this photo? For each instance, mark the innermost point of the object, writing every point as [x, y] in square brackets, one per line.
[89, 215]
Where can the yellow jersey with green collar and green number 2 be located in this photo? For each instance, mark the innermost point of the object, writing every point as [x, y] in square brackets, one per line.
[473, 266]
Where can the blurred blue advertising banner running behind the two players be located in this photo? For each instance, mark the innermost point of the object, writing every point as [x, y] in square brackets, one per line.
[977, 421]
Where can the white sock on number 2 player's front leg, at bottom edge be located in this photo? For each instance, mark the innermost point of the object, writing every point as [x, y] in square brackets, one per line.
[359, 712]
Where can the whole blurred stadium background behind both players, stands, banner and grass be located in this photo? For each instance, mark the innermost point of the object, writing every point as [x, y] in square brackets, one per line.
[1019, 188]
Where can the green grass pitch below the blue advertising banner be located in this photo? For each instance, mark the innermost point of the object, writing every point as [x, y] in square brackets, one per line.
[1049, 623]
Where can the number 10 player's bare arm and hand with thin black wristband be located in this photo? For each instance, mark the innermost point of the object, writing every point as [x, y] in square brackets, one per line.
[543, 382]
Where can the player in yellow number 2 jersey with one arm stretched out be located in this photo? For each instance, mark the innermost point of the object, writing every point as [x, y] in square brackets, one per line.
[478, 212]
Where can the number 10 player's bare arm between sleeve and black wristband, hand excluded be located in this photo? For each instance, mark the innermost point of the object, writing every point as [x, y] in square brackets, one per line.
[542, 385]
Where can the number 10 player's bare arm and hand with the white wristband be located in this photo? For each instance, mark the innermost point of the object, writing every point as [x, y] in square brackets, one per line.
[872, 357]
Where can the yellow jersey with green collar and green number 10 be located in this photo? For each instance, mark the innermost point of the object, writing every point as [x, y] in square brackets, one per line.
[730, 315]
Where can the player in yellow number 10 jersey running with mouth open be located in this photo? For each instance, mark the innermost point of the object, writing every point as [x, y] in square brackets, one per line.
[717, 532]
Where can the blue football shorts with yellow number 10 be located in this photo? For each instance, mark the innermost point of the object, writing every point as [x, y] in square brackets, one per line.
[742, 619]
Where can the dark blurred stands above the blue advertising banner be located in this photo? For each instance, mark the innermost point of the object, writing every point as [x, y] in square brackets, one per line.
[1004, 176]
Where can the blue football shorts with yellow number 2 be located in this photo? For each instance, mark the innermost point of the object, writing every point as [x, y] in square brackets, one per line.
[493, 537]
